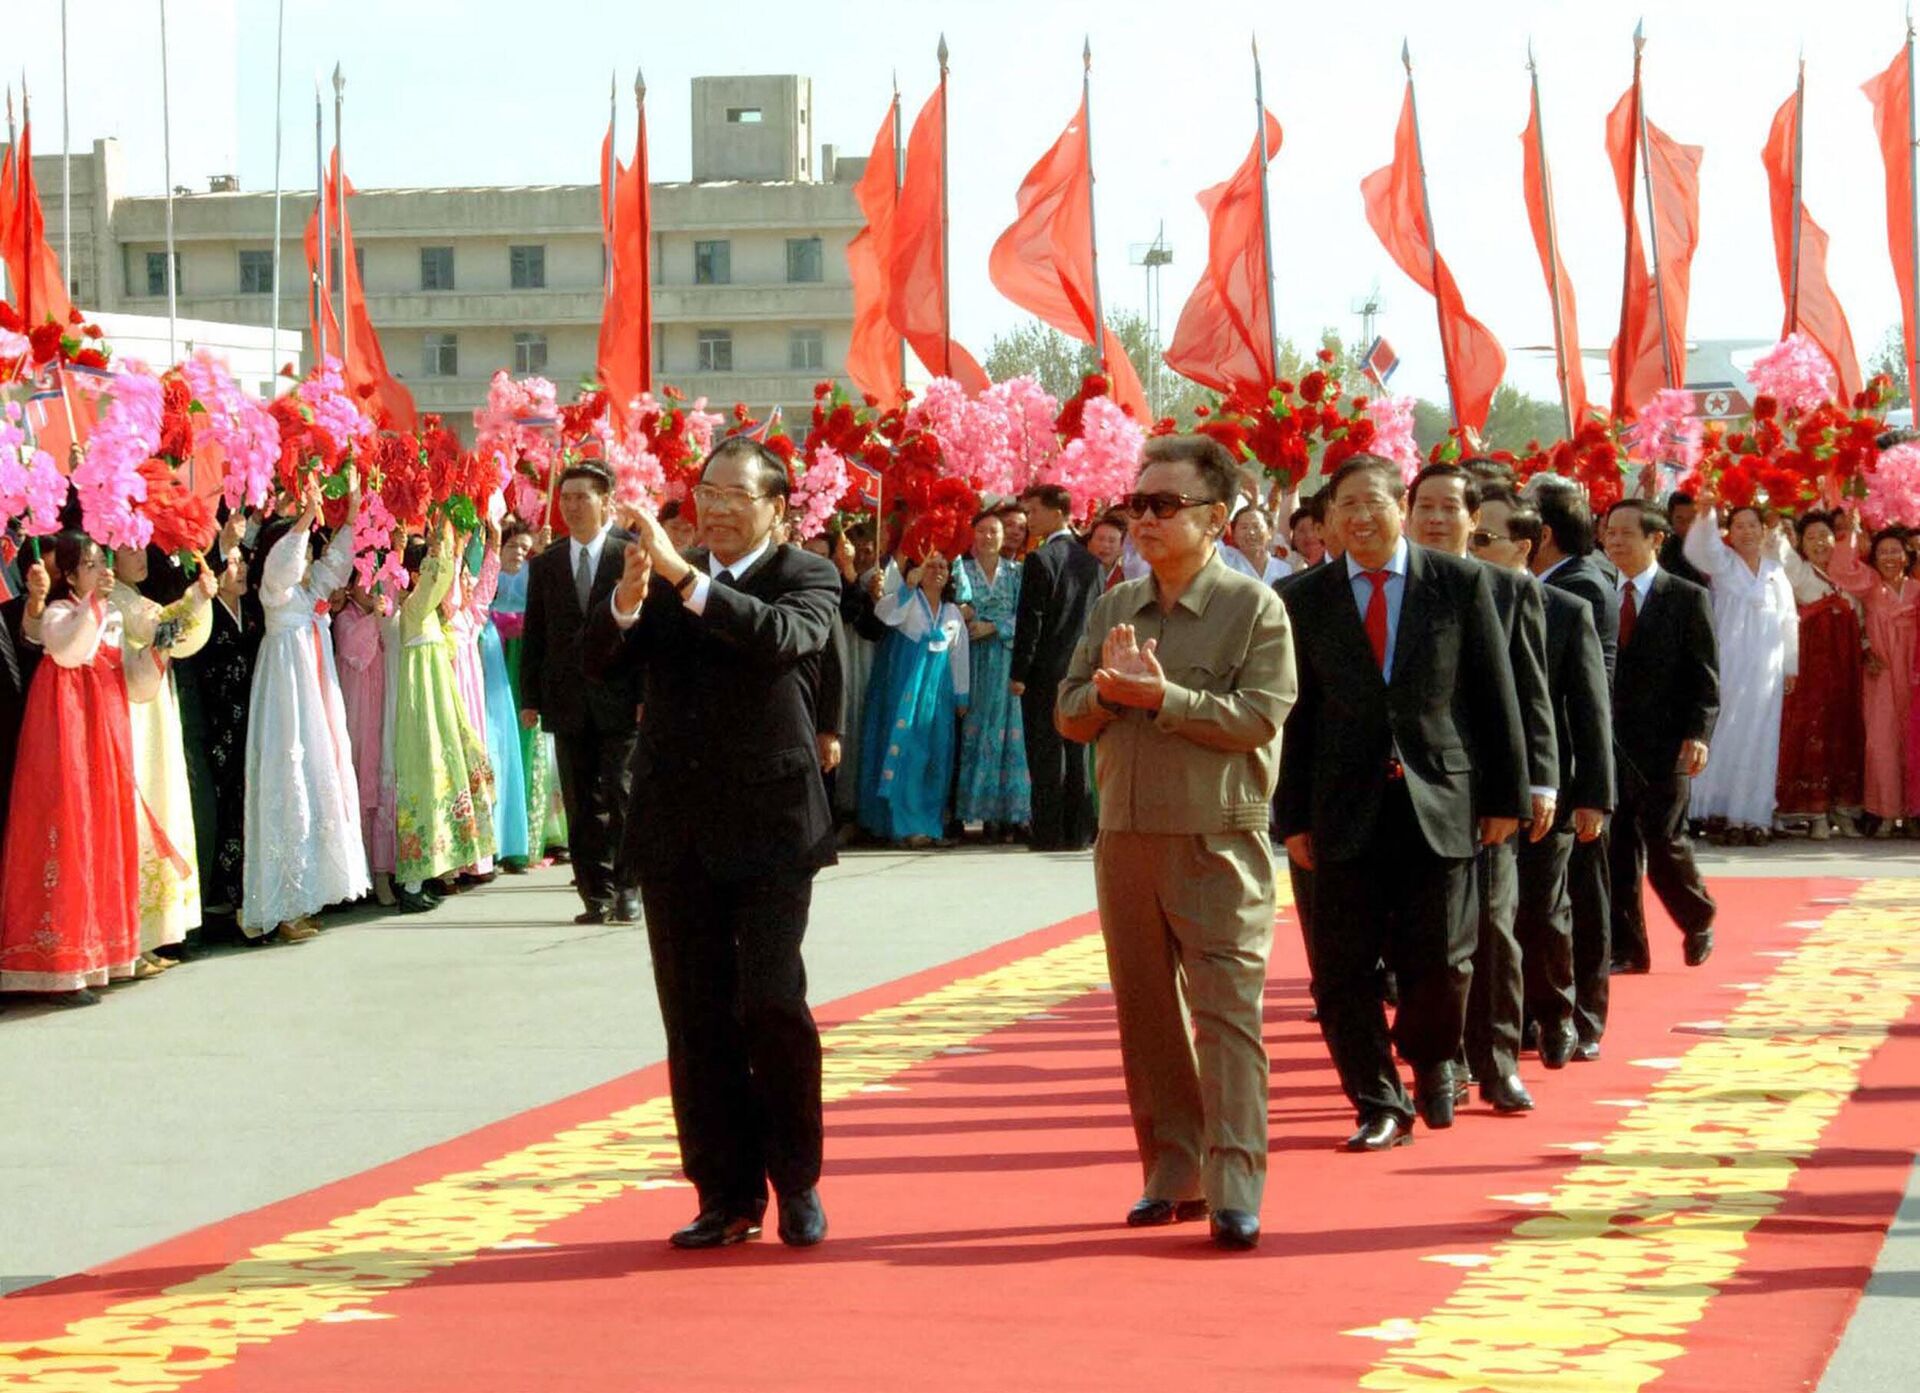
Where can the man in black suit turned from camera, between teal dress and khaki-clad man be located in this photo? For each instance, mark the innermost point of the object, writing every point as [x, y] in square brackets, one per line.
[1059, 584]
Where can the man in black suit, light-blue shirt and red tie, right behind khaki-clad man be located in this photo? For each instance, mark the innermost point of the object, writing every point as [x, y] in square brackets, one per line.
[1401, 759]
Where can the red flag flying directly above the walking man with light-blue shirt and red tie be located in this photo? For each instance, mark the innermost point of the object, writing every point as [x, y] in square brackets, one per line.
[1397, 208]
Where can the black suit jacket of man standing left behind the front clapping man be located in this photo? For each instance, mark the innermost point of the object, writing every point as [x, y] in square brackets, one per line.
[552, 674]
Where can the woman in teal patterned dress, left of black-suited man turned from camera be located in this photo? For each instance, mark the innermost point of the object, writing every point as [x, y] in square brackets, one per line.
[994, 747]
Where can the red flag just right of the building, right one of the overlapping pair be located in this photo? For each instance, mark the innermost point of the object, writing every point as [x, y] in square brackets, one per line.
[917, 258]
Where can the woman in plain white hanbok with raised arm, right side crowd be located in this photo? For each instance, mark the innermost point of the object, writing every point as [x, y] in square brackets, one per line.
[1758, 628]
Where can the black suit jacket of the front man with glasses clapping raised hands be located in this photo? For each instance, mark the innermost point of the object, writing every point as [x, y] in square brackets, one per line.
[727, 767]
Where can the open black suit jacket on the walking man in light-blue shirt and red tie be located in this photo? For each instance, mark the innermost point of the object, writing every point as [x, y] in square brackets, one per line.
[1451, 713]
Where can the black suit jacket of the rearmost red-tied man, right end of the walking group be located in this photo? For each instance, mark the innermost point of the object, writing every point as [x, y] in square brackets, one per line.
[1668, 688]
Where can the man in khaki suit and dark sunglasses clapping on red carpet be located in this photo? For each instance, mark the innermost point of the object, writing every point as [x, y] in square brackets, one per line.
[1182, 684]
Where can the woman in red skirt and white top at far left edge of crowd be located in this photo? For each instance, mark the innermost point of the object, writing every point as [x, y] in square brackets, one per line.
[72, 866]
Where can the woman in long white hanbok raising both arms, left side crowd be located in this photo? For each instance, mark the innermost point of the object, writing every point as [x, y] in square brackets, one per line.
[304, 845]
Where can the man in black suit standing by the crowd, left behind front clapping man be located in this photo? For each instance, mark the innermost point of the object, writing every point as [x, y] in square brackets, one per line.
[592, 722]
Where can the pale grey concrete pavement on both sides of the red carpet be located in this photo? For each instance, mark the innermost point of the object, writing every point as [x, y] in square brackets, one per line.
[256, 1075]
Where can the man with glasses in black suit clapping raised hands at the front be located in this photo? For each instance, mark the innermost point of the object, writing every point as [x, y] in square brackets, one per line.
[729, 826]
